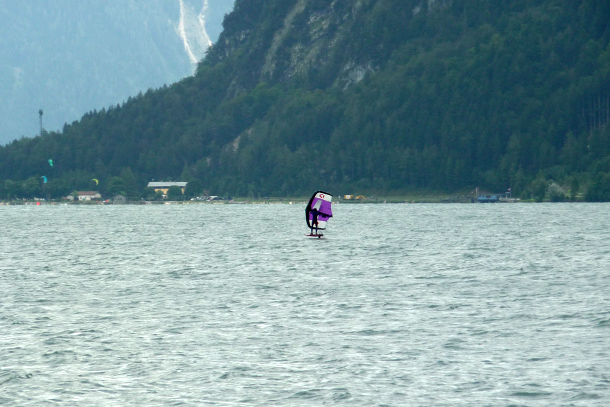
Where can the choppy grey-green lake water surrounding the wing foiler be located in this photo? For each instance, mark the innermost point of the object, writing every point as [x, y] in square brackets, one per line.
[232, 305]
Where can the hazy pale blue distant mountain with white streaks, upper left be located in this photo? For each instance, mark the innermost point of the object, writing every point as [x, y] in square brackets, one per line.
[68, 58]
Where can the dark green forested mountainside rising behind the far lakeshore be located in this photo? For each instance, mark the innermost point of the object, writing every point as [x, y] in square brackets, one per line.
[382, 96]
